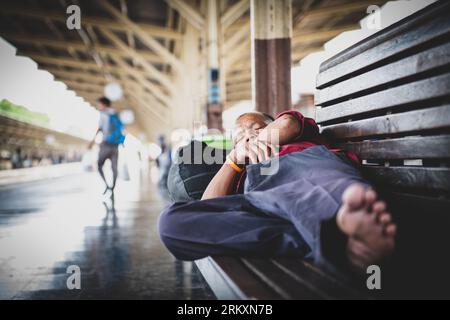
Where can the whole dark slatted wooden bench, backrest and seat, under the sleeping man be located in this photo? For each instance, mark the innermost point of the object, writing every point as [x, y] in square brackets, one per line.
[388, 99]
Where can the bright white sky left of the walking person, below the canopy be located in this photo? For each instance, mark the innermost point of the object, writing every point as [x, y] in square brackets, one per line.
[23, 84]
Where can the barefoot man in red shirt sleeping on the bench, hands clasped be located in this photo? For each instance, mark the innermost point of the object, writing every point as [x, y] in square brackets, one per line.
[315, 206]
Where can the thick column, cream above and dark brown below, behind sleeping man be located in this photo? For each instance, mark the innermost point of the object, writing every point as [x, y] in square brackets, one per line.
[271, 24]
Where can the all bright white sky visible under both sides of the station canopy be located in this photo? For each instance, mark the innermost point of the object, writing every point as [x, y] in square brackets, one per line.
[23, 84]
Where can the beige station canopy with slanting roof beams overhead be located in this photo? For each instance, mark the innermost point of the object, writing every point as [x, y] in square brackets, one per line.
[157, 50]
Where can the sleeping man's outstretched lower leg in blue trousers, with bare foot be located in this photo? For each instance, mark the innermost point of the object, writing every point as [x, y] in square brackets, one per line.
[341, 220]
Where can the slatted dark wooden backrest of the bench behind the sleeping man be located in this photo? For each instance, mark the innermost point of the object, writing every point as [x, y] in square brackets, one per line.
[388, 99]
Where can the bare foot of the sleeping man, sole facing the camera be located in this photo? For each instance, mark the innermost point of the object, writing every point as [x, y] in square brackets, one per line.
[369, 227]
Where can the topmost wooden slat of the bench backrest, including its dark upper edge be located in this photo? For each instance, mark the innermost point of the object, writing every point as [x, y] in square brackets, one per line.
[407, 34]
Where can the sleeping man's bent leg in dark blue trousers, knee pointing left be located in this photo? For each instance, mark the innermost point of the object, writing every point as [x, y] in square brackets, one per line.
[227, 226]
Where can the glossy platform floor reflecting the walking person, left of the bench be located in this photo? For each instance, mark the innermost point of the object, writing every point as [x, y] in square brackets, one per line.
[46, 227]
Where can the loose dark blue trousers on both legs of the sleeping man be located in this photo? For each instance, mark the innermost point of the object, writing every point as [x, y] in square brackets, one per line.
[282, 214]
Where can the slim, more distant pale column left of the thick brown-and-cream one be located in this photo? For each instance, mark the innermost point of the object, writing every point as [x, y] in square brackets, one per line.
[214, 106]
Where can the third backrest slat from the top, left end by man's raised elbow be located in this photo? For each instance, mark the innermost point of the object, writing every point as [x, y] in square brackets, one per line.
[419, 91]
